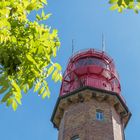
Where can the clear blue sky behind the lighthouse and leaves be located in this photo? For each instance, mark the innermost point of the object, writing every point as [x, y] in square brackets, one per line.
[84, 21]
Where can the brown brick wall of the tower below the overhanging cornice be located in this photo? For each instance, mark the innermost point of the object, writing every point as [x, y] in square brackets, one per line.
[80, 119]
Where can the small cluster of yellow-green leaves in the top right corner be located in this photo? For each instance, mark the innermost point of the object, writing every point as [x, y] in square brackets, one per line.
[120, 5]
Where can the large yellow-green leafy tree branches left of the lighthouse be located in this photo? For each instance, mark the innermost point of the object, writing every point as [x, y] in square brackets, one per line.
[26, 51]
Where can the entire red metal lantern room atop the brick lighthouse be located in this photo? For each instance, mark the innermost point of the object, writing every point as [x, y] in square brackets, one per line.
[90, 68]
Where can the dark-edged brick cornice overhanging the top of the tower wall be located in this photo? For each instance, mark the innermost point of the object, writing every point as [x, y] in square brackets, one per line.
[88, 93]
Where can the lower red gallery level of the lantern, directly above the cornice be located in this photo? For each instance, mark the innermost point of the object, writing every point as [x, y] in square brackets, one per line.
[93, 76]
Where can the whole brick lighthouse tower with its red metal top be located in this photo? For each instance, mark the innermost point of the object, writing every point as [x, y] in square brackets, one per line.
[90, 105]
